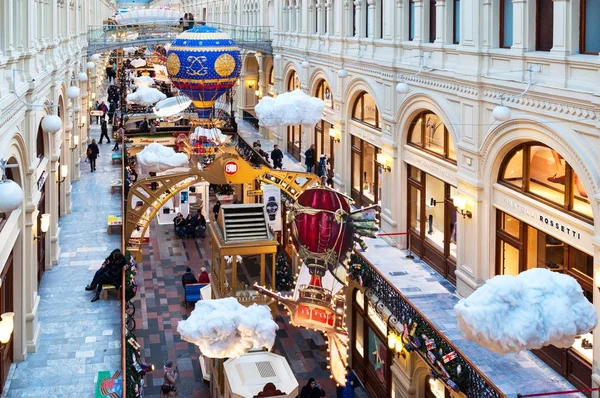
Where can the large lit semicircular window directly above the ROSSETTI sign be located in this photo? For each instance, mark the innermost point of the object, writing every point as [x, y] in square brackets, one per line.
[540, 171]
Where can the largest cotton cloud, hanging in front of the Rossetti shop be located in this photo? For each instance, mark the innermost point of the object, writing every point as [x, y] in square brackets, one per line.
[536, 308]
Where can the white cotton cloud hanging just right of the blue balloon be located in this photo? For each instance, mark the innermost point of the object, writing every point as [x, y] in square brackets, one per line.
[295, 107]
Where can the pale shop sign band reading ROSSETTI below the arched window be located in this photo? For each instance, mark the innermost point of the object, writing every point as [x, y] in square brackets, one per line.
[550, 221]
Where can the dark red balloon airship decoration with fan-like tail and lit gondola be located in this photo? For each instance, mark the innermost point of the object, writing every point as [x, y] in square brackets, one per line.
[324, 229]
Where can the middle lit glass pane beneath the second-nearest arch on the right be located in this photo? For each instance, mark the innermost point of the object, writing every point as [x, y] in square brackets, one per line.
[434, 211]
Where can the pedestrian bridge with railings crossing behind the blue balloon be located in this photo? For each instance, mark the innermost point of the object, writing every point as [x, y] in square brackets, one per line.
[112, 37]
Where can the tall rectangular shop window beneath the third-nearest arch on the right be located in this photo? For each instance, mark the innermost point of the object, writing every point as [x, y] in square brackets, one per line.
[366, 176]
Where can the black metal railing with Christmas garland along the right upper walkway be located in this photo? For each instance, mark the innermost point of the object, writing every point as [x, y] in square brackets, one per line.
[403, 312]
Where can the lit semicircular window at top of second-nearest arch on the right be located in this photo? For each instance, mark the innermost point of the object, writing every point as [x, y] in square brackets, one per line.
[430, 134]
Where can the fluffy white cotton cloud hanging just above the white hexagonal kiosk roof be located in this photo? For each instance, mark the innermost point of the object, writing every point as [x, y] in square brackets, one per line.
[224, 328]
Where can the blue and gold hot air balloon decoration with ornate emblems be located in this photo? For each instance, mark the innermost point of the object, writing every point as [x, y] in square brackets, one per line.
[203, 63]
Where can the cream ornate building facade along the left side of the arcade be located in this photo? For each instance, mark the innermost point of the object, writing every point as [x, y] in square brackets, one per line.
[42, 49]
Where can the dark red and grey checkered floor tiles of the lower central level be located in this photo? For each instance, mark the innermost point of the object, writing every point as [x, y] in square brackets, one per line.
[160, 306]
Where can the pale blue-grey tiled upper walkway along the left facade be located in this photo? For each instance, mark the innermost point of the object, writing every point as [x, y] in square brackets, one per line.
[77, 338]
